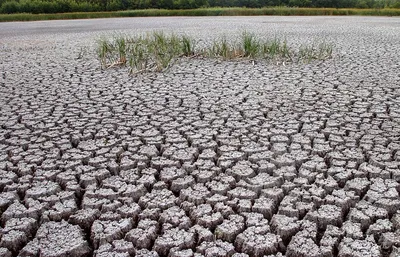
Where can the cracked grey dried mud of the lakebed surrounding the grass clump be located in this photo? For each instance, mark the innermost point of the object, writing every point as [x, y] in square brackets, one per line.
[211, 158]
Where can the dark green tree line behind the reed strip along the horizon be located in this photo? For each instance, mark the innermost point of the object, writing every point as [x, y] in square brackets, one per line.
[63, 6]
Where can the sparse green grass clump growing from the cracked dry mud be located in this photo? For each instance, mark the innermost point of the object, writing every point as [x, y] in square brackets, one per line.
[158, 51]
